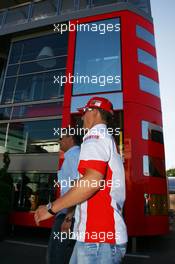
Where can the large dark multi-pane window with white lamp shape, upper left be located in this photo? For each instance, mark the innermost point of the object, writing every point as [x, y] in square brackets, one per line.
[47, 59]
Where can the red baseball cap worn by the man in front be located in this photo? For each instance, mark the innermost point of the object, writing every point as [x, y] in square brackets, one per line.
[98, 102]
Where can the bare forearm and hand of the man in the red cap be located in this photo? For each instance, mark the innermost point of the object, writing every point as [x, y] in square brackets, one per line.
[82, 191]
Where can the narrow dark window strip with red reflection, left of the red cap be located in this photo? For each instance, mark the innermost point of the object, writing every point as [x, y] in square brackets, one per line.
[40, 110]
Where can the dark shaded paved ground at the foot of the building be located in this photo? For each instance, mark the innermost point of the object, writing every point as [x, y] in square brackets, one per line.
[28, 246]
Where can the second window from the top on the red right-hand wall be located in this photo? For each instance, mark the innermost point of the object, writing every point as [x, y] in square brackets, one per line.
[146, 58]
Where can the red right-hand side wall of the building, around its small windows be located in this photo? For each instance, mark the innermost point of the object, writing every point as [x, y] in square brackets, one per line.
[138, 106]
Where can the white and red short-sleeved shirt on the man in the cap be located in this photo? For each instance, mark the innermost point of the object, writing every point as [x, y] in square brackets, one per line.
[99, 219]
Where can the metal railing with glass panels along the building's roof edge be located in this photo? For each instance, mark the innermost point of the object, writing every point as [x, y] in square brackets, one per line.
[42, 9]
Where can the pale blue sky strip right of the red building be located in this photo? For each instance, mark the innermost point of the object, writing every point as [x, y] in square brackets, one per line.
[163, 13]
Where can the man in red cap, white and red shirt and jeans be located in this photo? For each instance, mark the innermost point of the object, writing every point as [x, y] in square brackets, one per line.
[99, 193]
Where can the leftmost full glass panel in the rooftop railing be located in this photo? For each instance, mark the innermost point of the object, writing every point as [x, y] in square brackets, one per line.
[17, 15]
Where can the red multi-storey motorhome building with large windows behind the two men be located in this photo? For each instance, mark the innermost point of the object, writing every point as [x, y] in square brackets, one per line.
[54, 56]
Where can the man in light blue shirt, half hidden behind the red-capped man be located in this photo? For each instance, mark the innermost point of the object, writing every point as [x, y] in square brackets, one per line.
[69, 144]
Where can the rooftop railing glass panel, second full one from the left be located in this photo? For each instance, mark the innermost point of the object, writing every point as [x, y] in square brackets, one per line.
[44, 9]
